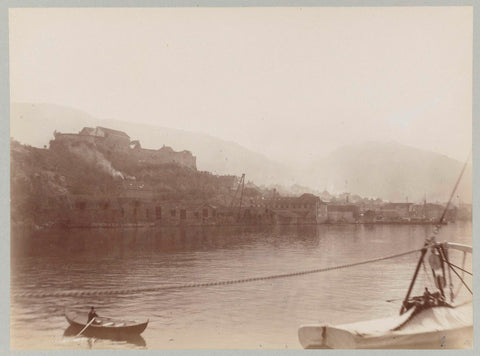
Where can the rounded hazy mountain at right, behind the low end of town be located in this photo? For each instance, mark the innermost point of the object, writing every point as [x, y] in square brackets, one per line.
[393, 171]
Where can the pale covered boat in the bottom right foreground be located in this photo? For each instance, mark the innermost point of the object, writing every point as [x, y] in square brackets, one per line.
[433, 328]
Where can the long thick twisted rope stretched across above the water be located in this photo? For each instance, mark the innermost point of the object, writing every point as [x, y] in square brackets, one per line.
[99, 292]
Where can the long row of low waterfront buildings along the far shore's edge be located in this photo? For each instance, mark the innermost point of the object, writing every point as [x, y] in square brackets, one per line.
[135, 206]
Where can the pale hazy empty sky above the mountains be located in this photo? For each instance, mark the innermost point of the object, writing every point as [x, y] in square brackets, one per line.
[288, 82]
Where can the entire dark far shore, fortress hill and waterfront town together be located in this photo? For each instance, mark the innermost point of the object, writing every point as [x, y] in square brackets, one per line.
[101, 178]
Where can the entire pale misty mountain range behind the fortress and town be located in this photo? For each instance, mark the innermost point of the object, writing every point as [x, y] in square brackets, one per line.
[390, 171]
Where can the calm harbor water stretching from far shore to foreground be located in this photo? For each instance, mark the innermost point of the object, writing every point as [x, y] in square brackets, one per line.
[261, 314]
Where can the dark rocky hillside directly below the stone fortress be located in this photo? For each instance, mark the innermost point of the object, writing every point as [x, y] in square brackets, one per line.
[46, 184]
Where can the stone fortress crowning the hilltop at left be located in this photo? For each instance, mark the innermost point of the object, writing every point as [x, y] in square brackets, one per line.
[119, 141]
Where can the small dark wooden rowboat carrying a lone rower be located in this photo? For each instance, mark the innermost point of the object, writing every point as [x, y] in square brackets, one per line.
[103, 326]
